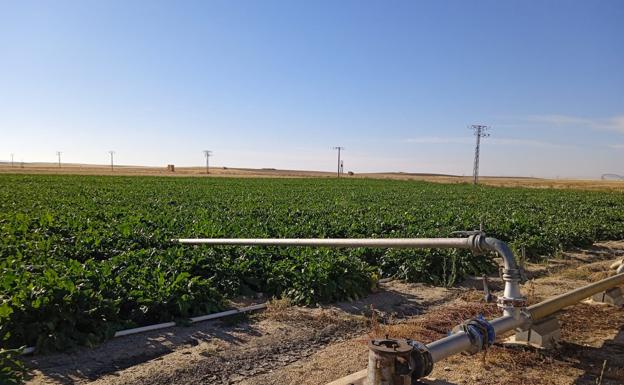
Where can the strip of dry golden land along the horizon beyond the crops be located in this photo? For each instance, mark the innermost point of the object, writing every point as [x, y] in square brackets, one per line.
[84, 169]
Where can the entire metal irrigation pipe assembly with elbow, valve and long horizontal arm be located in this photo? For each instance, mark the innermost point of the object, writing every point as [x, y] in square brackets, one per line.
[515, 313]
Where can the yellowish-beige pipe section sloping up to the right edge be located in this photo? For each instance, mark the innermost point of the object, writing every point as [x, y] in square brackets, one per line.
[552, 305]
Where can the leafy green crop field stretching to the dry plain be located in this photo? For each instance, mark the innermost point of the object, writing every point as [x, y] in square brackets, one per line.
[82, 257]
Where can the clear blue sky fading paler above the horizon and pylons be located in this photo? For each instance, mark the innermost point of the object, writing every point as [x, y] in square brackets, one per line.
[279, 83]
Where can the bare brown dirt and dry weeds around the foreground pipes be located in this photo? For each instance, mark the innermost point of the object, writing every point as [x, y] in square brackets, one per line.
[290, 345]
